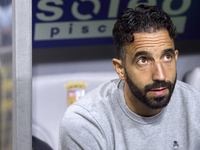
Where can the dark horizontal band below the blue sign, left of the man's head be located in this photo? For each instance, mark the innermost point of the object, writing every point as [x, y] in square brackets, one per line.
[71, 54]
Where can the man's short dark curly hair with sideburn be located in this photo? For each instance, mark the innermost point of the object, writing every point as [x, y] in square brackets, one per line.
[141, 19]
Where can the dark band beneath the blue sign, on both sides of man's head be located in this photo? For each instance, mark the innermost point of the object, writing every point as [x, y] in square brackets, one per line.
[98, 52]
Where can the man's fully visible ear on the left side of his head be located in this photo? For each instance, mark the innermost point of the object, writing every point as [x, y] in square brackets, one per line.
[119, 68]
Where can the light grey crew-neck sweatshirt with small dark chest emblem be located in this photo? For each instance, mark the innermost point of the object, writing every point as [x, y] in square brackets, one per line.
[101, 120]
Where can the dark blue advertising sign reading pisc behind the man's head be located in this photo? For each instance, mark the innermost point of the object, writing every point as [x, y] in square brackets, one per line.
[61, 23]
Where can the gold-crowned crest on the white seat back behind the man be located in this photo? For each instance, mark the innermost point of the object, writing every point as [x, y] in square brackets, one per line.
[75, 90]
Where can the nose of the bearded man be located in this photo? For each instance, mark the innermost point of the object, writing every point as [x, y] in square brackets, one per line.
[158, 72]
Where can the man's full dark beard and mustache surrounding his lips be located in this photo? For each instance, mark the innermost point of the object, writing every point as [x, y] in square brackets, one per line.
[153, 102]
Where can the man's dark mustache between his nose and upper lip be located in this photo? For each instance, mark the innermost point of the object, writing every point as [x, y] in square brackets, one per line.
[158, 84]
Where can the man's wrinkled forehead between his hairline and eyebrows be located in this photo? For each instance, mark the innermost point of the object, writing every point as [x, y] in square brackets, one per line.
[153, 42]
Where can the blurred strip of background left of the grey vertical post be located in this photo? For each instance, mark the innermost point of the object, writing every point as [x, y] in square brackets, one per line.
[5, 74]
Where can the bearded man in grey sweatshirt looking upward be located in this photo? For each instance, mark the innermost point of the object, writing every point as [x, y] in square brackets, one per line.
[147, 108]
